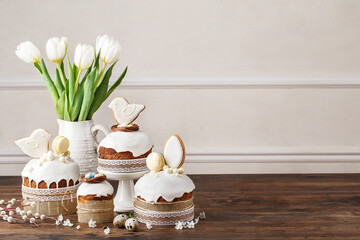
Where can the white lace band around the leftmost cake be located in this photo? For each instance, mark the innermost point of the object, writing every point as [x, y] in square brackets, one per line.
[52, 194]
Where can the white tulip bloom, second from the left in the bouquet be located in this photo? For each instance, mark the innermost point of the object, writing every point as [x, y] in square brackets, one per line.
[56, 49]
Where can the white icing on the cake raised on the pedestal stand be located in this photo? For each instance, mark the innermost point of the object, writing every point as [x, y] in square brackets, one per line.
[137, 142]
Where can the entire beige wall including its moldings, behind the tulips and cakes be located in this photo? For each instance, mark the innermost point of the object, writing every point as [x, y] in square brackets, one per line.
[249, 128]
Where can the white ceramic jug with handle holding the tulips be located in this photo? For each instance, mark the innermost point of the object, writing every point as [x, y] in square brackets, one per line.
[83, 142]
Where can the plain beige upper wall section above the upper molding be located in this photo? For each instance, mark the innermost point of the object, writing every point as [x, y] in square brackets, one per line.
[201, 36]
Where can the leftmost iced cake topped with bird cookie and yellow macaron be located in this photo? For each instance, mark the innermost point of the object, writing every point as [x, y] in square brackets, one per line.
[50, 179]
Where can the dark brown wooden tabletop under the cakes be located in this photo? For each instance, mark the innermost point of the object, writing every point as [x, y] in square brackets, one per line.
[237, 207]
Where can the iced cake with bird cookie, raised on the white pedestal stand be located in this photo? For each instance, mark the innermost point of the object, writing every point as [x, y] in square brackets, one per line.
[125, 149]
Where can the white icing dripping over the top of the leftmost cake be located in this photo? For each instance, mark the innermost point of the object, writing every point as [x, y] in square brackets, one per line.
[51, 170]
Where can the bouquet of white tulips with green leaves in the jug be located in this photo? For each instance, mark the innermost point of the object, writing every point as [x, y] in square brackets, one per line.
[76, 96]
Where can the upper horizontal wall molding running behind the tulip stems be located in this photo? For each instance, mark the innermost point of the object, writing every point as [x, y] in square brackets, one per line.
[337, 80]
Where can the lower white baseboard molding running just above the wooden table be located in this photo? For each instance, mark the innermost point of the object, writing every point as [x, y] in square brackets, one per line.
[232, 161]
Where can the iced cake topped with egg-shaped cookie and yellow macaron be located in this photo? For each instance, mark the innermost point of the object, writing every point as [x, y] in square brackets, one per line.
[165, 195]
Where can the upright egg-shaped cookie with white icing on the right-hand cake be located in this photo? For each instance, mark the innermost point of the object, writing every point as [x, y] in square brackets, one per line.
[174, 152]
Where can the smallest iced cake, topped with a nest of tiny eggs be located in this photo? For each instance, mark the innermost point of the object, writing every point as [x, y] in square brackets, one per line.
[95, 198]
